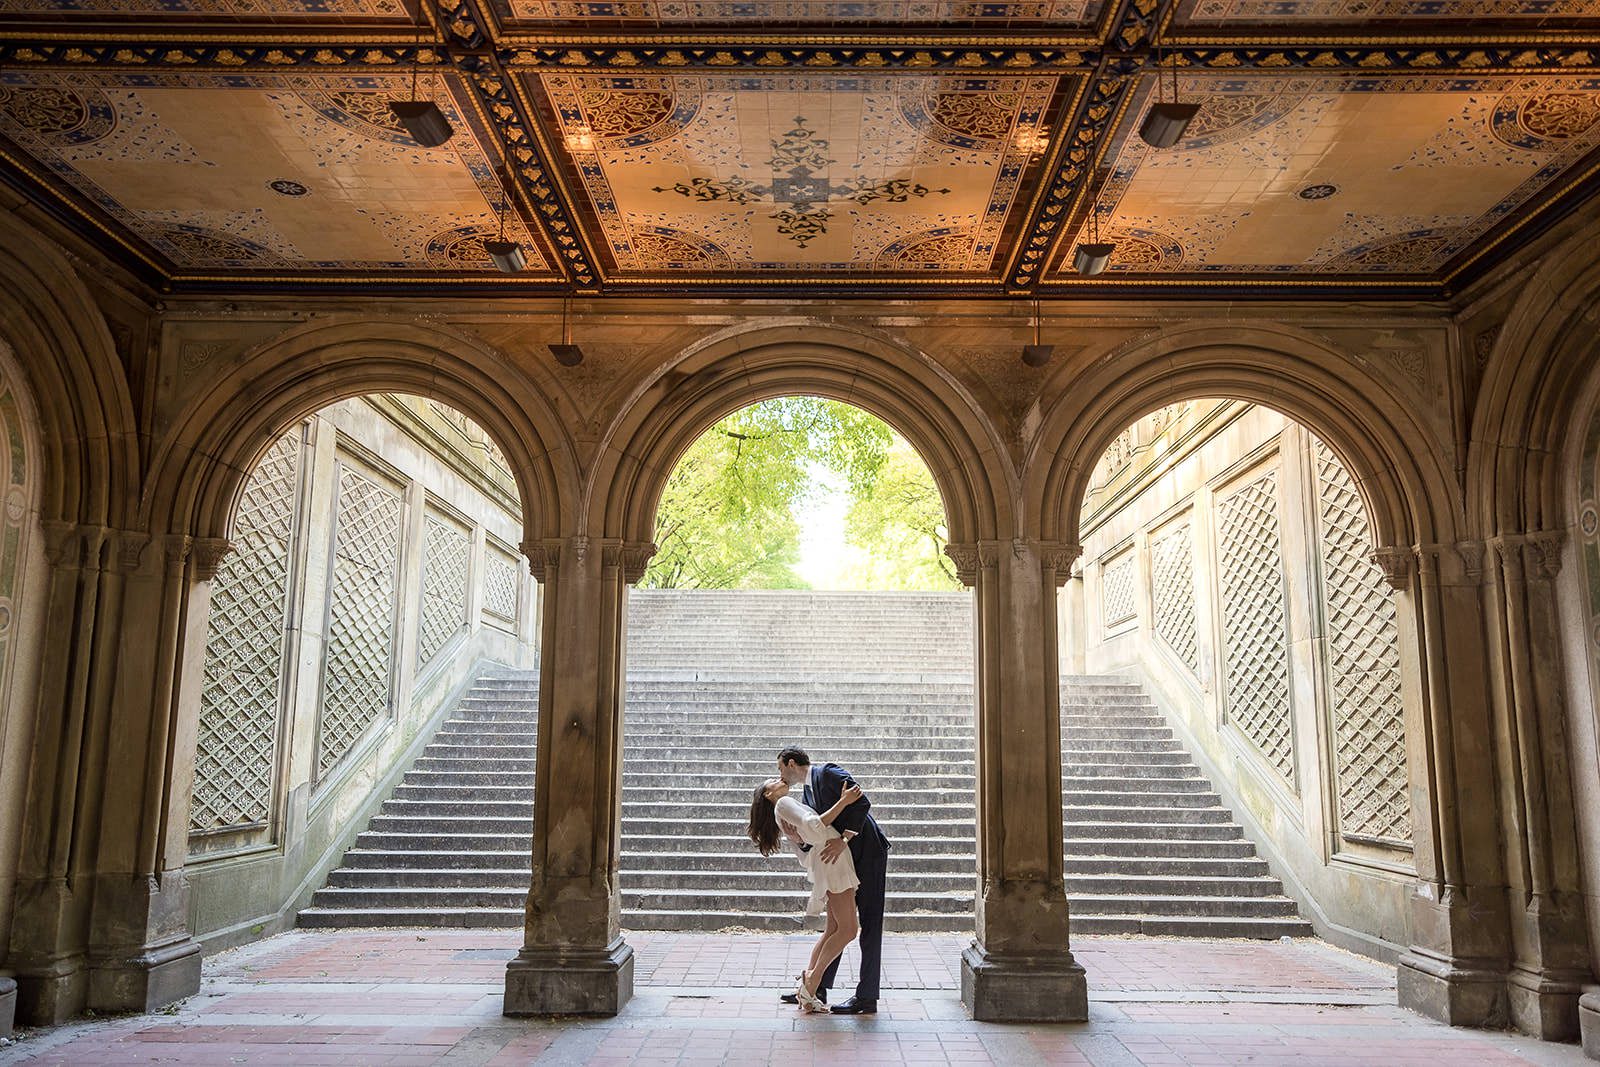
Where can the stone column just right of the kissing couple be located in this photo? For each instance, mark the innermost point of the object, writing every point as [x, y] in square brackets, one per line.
[1020, 967]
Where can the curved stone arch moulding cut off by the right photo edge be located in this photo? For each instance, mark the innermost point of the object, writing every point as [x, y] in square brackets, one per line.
[1530, 399]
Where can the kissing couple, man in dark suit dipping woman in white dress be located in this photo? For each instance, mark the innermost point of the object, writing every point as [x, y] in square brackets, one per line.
[846, 857]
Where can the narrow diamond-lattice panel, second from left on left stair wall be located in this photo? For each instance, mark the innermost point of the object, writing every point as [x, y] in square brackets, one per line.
[361, 615]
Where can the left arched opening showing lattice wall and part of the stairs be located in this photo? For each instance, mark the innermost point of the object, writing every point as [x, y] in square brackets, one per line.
[374, 601]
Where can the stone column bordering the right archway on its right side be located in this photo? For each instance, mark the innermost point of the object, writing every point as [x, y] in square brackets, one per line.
[1455, 967]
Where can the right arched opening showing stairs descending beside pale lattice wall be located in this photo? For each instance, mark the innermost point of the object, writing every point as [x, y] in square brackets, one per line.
[1244, 703]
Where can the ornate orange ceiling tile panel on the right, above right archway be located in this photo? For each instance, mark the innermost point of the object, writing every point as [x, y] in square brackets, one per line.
[1338, 175]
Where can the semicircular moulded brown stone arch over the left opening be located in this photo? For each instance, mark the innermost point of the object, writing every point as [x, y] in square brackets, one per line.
[204, 462]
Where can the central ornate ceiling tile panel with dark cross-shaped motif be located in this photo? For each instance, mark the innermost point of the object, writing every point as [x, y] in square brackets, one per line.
[783, 174]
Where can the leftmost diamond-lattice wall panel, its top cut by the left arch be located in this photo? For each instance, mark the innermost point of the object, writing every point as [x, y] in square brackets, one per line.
[236, 753]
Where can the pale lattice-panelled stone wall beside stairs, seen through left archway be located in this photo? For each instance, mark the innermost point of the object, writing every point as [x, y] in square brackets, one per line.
[374, 572]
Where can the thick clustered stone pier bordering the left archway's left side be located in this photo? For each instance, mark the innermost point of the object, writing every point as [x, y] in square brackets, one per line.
[102, 897]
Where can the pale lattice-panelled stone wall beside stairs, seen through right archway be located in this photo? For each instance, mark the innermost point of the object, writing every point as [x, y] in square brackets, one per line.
[1228, 565]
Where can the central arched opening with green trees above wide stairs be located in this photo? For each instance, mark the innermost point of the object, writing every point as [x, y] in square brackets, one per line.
[799, 596]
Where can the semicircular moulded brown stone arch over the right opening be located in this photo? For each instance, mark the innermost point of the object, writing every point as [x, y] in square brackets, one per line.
[1399, 465]
